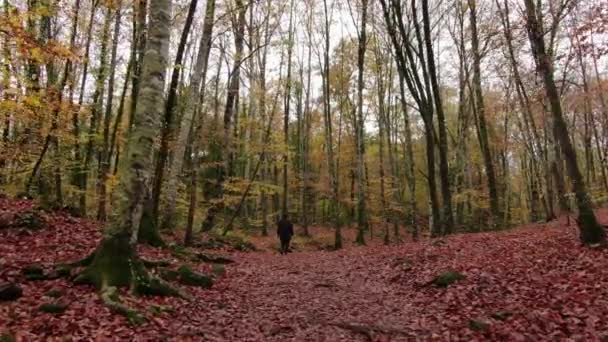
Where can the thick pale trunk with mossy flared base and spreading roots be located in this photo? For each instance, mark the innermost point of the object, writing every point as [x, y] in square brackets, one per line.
[115, 262]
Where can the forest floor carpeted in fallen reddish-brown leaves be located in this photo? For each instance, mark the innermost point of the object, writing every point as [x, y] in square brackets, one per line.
[531, 283]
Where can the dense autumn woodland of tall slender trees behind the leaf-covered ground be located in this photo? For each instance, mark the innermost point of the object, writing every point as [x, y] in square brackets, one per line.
[357, 111]
